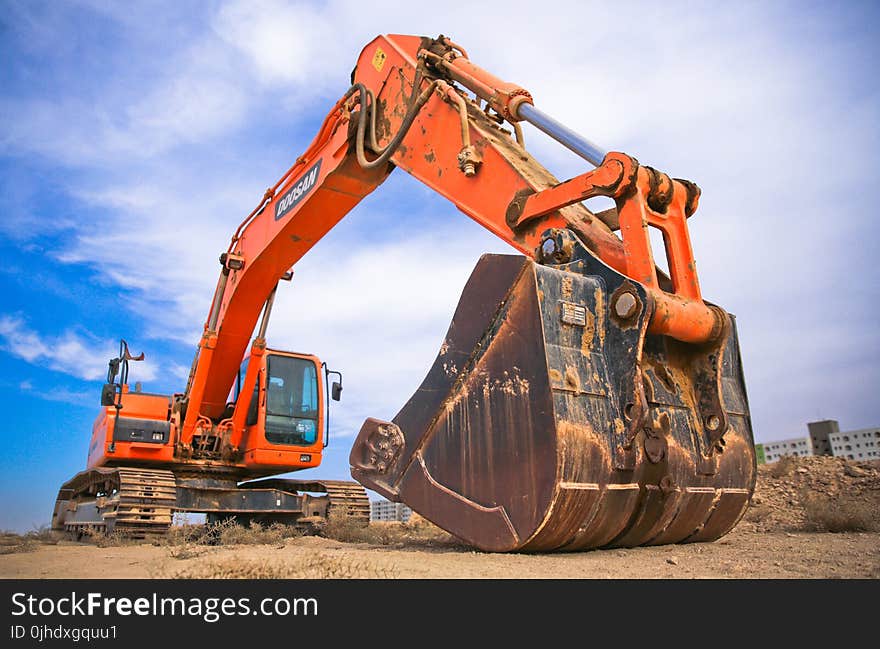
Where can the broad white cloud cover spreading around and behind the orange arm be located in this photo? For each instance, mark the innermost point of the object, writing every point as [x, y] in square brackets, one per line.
[726, 96]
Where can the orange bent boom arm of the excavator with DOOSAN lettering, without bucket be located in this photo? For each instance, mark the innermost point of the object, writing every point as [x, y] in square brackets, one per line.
[404, 110]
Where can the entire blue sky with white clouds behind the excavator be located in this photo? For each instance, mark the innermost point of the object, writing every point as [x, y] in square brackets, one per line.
[135, 136]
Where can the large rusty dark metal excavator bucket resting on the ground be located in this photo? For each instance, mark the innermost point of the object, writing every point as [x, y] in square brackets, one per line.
[550, 422]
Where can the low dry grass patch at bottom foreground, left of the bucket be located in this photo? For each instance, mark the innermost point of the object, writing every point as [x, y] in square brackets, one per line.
[314, 566]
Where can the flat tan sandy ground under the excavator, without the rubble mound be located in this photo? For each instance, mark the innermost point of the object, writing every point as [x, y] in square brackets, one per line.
[742, 554]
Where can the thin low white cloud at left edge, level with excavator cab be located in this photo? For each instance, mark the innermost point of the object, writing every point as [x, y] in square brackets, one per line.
[80, 356]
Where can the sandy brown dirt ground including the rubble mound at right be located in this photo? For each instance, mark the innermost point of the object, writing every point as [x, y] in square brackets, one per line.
[784, 535]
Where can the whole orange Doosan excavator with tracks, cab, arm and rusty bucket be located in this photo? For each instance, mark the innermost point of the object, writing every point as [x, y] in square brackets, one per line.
[582, 397]
